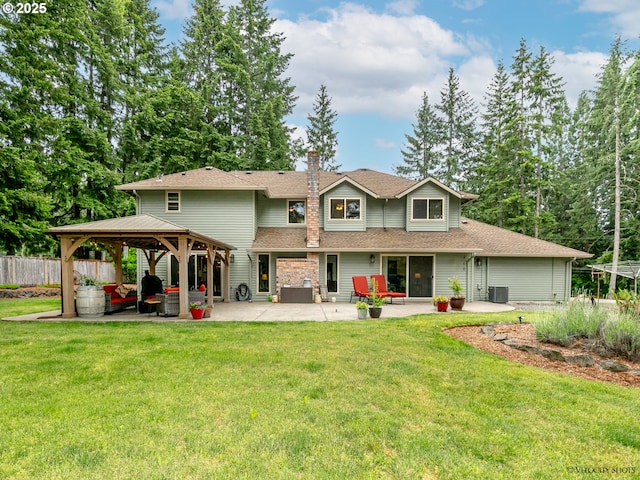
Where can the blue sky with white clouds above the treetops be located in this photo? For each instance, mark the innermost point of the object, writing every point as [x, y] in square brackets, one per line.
[377, 58]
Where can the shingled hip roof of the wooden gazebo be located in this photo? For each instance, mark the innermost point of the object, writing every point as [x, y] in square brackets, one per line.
[138, 231]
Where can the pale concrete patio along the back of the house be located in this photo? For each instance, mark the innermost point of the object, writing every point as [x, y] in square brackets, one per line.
[275, 312]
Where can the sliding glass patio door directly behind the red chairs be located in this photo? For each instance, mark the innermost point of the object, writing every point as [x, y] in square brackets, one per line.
[410, 274]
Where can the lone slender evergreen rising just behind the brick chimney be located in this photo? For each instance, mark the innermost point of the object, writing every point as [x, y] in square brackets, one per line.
[320, 134]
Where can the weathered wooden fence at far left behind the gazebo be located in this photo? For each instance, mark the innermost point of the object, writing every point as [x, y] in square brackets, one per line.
[30, 271]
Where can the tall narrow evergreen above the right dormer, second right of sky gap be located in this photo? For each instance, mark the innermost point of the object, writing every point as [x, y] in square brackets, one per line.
[458, 114]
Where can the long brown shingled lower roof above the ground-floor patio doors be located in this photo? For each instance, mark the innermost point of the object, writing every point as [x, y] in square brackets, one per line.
[471, 237]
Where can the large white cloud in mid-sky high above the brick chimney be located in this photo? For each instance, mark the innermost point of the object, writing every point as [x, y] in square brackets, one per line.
[371, 62]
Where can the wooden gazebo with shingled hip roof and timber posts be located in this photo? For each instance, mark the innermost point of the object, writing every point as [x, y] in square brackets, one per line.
[154, 236]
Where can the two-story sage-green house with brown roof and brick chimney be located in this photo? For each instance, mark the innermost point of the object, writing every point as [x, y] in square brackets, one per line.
[288, 226]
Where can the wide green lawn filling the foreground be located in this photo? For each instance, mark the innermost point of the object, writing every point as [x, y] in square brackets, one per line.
[394, 398]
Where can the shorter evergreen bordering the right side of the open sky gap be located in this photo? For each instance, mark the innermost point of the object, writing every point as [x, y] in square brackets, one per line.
[423, 152]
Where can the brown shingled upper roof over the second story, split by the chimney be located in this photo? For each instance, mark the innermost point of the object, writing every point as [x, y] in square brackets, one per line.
[286, 184]
